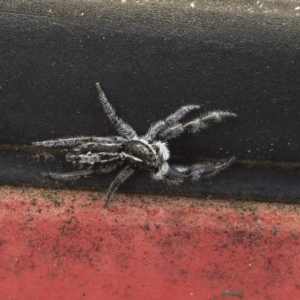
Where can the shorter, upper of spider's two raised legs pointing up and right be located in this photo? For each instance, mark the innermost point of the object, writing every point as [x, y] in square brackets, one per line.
[172, 119]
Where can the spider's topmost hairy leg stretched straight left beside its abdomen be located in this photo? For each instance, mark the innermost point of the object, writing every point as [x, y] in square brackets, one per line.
[73, 142]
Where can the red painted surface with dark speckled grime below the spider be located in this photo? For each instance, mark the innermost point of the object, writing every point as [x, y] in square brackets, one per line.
[63, 245]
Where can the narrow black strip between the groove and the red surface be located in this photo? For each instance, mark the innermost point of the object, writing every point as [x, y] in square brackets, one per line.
[238, 182]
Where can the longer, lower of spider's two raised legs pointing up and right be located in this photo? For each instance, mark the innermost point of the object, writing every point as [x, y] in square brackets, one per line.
[195, 125]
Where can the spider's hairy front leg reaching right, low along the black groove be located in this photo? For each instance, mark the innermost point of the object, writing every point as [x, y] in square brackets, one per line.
[203, 170]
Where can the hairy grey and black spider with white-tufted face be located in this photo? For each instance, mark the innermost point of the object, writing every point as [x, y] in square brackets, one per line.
[148, 153]
